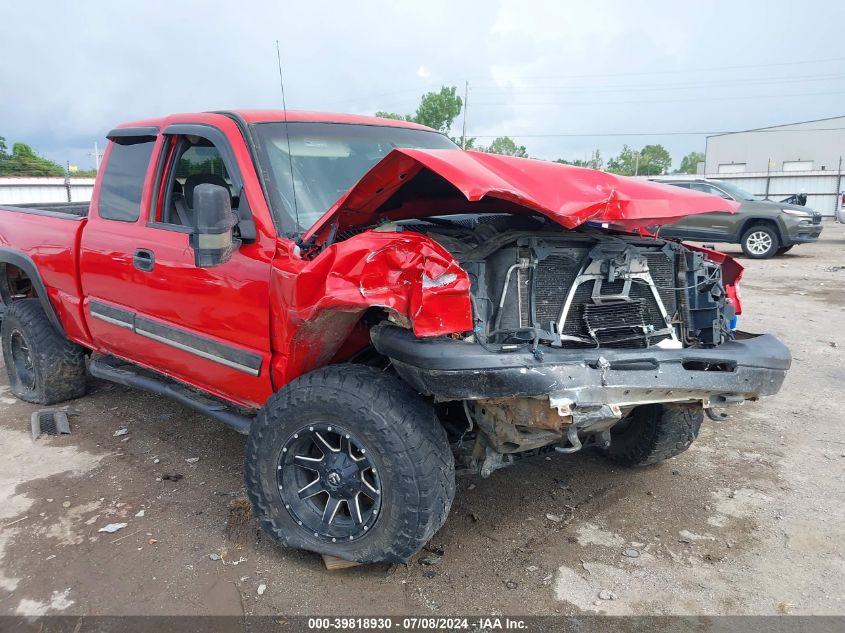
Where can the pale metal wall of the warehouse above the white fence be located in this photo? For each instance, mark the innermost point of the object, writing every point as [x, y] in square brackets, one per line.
[821, 142]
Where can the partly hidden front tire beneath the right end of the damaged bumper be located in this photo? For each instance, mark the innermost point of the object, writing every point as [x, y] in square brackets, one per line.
[652, 433]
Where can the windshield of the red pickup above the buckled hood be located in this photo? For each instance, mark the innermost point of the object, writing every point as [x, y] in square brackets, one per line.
[327, 160]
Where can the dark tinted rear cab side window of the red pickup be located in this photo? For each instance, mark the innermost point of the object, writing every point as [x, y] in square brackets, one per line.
[123, 181]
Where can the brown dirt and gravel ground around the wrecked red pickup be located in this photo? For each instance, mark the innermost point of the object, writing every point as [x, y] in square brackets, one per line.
[751, 520]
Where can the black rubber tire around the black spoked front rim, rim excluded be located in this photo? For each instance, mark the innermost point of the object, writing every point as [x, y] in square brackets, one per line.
[404, 439]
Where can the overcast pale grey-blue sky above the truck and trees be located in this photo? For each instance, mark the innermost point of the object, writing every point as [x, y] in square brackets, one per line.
[541, 72]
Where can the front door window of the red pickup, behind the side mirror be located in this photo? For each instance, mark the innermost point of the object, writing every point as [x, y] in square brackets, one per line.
[195, 161]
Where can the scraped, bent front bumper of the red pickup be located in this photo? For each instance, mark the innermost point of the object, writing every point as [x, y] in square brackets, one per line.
[454, 370]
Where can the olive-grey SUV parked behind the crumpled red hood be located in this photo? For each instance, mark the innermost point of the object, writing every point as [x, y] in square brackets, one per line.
[762, 227]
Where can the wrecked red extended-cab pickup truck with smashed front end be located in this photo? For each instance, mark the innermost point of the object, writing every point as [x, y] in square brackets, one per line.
[364, 300]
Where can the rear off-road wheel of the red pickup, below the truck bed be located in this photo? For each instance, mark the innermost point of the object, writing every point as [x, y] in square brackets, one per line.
[57, 370]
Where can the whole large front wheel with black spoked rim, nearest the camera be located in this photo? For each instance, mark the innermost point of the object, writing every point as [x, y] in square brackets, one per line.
[351, 462]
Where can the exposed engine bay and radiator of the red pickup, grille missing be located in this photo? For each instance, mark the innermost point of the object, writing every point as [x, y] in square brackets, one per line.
[536, 284]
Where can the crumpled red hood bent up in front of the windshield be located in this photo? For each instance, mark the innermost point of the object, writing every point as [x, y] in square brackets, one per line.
[567, 195]
